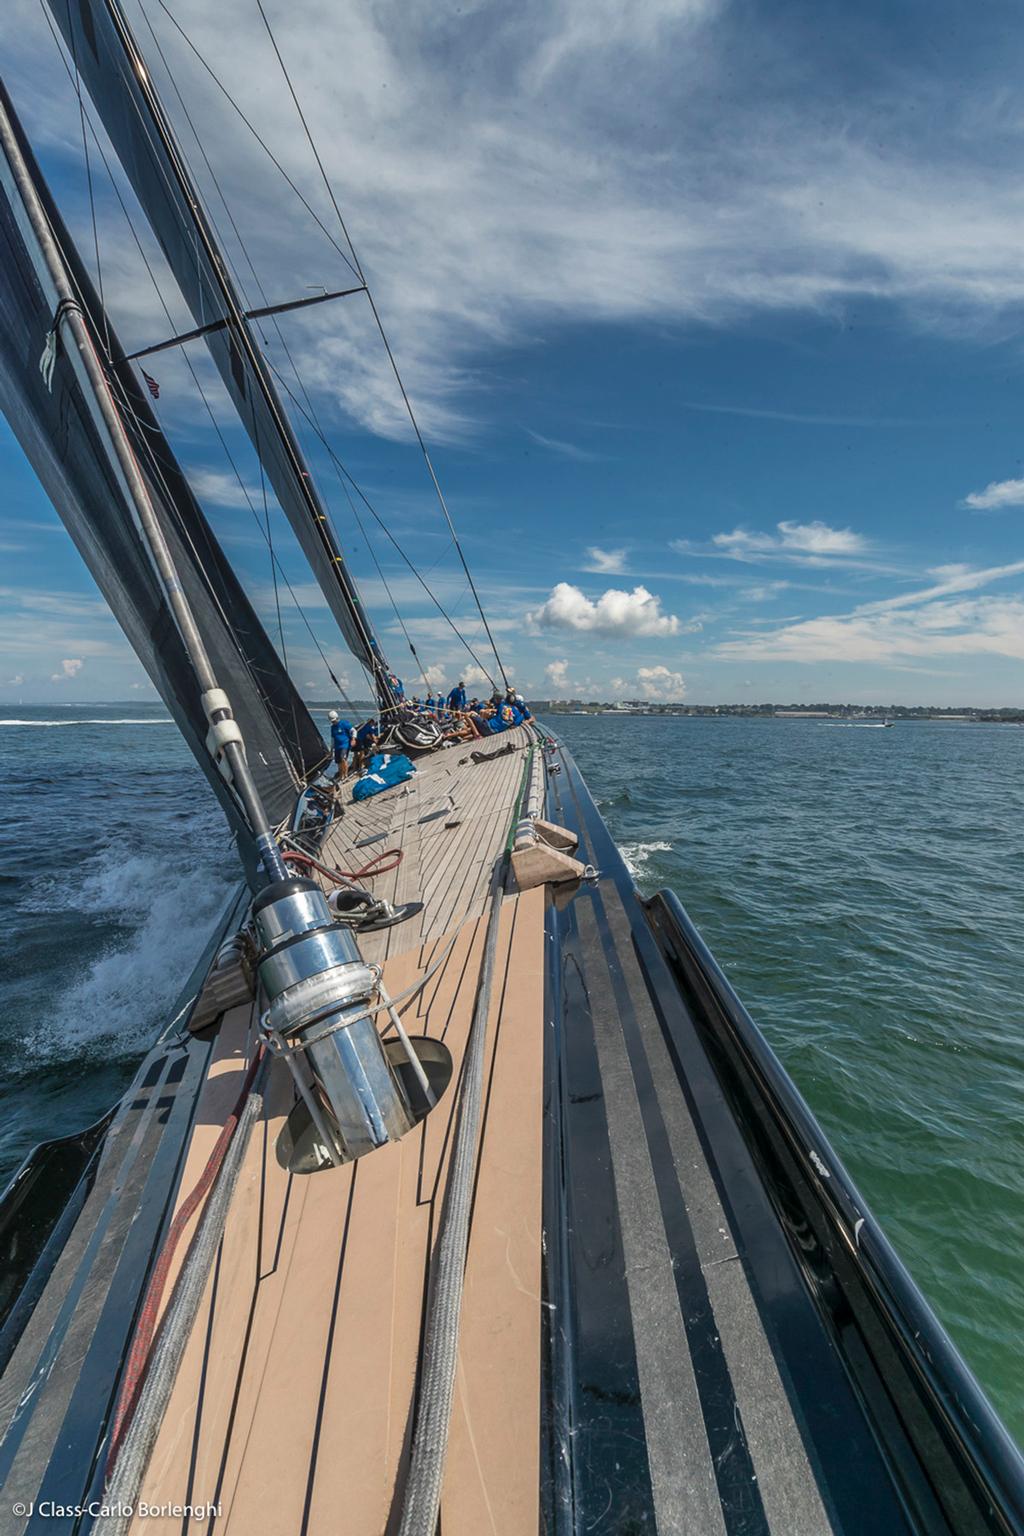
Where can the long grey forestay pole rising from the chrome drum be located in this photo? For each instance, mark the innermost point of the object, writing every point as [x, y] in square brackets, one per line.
[225, 740]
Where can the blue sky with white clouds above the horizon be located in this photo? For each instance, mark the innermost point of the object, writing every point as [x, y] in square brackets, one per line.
[712, 316]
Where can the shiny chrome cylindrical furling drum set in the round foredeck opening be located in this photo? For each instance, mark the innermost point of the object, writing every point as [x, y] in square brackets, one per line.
[319, 988]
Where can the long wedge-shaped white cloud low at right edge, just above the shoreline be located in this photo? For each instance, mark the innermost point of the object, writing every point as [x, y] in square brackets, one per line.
[937, 621]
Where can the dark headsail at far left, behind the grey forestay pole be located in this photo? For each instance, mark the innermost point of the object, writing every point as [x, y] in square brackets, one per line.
[73, 460]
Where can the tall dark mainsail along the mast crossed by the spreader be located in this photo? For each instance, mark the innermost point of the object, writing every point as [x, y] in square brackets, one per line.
[116, 76]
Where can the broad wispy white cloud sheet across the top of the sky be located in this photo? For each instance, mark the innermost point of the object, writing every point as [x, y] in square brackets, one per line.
[501, 180]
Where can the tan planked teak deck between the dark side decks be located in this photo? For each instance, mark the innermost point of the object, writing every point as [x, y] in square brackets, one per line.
[296, 1394]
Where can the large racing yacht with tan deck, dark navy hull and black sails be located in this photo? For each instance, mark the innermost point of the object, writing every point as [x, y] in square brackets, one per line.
[474, 1202]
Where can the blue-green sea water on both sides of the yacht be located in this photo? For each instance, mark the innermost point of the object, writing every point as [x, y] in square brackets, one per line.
[862, 889]
